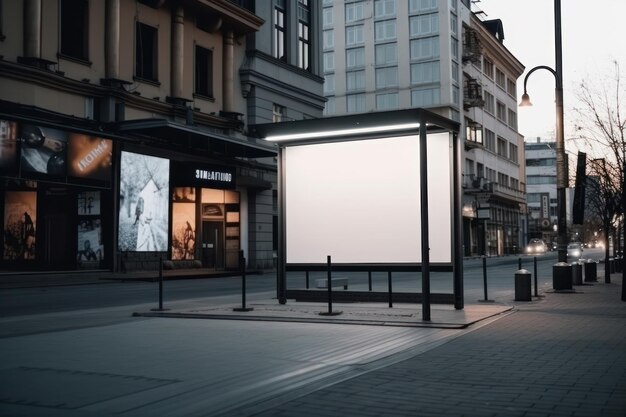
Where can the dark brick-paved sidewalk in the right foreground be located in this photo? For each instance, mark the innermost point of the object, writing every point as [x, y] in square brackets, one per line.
[562, 356]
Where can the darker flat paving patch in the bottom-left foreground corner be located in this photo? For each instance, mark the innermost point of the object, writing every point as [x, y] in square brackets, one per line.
[69, 389]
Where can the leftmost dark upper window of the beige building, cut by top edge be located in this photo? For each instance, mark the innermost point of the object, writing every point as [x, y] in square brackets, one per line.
[74, 29]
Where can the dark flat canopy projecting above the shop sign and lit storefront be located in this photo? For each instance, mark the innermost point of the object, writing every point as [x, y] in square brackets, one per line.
[197, 138]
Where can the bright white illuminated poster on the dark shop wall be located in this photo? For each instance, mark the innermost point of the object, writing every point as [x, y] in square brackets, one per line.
[144, 203]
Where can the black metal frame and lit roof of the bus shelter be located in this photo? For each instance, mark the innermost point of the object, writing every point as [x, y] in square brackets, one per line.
[369, 126]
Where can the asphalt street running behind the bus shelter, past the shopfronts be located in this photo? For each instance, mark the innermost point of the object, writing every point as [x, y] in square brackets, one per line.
[500, 284]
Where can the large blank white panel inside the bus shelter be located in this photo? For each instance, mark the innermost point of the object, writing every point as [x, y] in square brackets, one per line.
[359, 201]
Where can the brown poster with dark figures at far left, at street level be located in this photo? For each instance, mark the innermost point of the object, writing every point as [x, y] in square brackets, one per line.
[20, 222]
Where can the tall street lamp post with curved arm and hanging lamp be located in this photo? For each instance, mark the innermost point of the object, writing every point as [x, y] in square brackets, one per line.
[561, 271]
